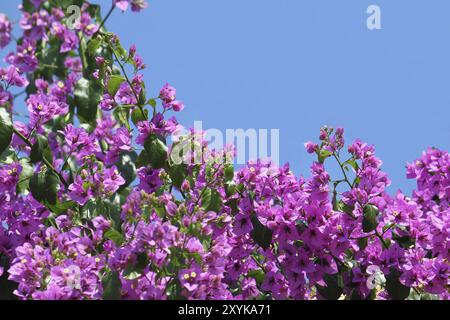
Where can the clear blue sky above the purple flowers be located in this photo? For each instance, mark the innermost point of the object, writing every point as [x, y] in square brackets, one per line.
[297, 65]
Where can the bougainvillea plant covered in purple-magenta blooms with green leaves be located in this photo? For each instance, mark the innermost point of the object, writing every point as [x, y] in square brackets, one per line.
[92, 205]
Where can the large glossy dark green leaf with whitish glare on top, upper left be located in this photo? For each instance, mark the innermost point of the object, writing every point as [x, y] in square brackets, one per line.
[87, 95]
